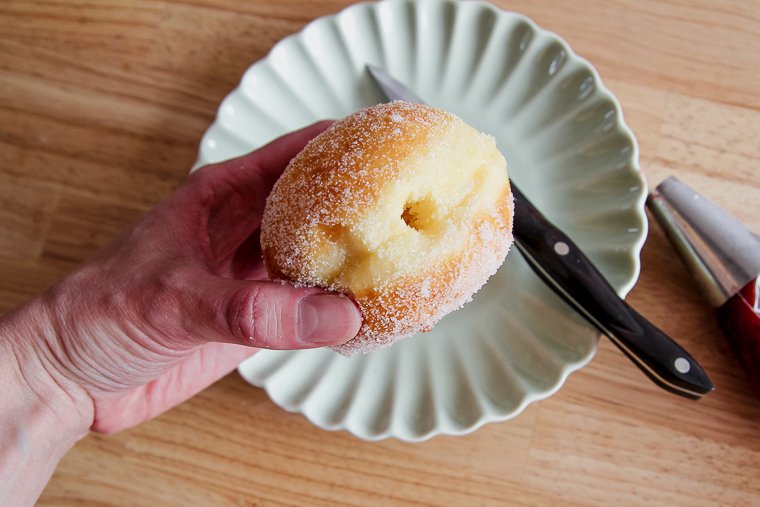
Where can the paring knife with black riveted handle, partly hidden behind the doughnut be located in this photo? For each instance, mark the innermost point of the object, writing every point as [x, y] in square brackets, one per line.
[564, 267]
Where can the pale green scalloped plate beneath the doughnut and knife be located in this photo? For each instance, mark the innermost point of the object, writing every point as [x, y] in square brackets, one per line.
[566, 145]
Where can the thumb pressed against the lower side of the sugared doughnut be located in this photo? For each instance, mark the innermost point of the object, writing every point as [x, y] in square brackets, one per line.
[272, 315]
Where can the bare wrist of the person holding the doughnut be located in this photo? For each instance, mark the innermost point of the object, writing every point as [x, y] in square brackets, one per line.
[44, 414]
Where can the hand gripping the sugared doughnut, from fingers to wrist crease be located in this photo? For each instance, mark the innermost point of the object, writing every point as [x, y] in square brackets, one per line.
[182, 297]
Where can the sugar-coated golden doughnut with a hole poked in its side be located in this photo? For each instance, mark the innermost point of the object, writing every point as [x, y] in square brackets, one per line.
[403, 207]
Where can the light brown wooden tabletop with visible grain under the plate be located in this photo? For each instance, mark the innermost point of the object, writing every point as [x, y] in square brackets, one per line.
[101, 109]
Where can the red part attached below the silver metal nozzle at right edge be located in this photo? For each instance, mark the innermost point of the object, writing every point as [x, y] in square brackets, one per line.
[740, 322]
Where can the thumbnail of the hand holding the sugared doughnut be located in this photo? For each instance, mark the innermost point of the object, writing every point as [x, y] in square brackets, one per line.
[327, 319]
